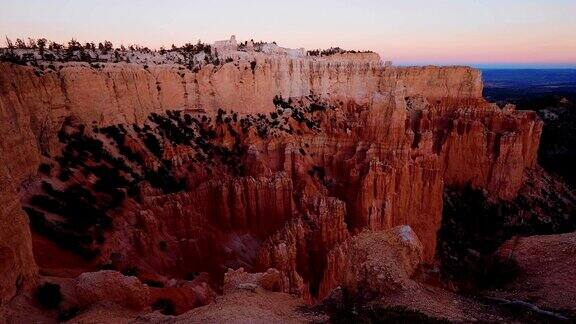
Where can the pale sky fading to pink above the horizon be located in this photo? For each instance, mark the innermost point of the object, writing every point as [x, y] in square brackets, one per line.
[409, 32]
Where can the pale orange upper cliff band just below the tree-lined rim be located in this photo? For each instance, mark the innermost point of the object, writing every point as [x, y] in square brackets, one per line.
[34, 106]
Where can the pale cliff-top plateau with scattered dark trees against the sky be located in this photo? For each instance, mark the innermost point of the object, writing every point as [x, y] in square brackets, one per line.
[41, 52]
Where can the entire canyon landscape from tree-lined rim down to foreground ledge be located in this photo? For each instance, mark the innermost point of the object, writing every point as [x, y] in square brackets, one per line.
[246, 182]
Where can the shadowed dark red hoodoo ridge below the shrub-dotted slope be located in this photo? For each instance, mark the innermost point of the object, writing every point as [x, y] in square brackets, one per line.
[215, 226]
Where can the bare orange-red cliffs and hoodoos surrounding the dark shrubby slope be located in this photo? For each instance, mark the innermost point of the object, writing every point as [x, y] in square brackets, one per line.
[380, 159]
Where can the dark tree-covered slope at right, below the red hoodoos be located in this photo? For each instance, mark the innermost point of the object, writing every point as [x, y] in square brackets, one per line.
[474, 226]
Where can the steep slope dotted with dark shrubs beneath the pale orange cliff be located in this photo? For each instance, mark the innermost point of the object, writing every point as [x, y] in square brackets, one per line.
[102, 169]
